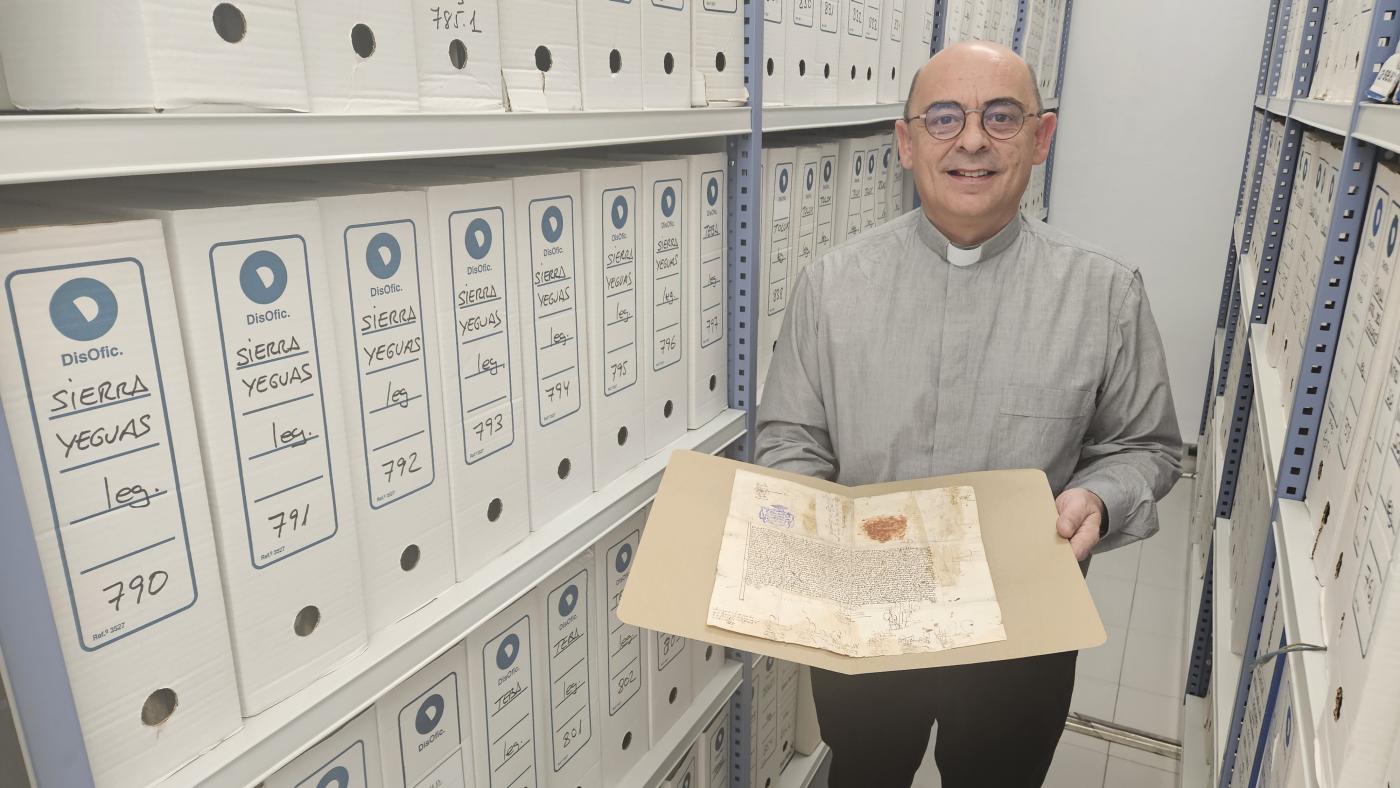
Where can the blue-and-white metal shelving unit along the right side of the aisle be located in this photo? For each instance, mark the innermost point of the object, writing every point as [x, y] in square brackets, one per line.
[1287, 429]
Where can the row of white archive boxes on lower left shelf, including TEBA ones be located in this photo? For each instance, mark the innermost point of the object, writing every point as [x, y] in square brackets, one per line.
[554, 691]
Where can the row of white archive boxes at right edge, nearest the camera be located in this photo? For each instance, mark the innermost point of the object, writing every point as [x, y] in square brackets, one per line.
[1353, 498]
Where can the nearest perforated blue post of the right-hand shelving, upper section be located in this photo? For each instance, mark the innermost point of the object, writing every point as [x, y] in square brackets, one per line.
[1359, 166]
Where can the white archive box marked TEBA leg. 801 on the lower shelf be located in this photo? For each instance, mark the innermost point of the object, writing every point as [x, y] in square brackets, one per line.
[575, 752]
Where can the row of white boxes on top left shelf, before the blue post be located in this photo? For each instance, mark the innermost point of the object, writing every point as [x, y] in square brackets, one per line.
[386, 57]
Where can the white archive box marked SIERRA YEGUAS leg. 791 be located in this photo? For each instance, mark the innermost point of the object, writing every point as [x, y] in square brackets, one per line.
[250, 276]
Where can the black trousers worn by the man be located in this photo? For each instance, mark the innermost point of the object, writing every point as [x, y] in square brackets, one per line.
[999, 723]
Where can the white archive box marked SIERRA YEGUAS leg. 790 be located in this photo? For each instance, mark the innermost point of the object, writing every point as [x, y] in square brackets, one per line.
[99, 405]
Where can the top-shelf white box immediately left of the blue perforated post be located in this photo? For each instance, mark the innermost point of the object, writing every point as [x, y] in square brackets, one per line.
[717, 54]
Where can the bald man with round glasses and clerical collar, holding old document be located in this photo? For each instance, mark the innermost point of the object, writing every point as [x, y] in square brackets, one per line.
[964, 338]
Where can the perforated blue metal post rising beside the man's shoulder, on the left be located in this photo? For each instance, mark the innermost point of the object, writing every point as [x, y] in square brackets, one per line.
[745, 177]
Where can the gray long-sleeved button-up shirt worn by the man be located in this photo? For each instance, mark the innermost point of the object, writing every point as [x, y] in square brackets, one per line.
[1032, 352]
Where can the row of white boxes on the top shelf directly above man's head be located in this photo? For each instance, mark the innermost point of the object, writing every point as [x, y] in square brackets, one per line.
[997, 20]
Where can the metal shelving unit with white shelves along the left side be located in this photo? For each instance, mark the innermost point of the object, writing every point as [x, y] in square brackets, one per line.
[82, 146]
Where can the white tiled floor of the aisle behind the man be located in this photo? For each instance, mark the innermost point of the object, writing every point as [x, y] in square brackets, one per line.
[1136, 680]
